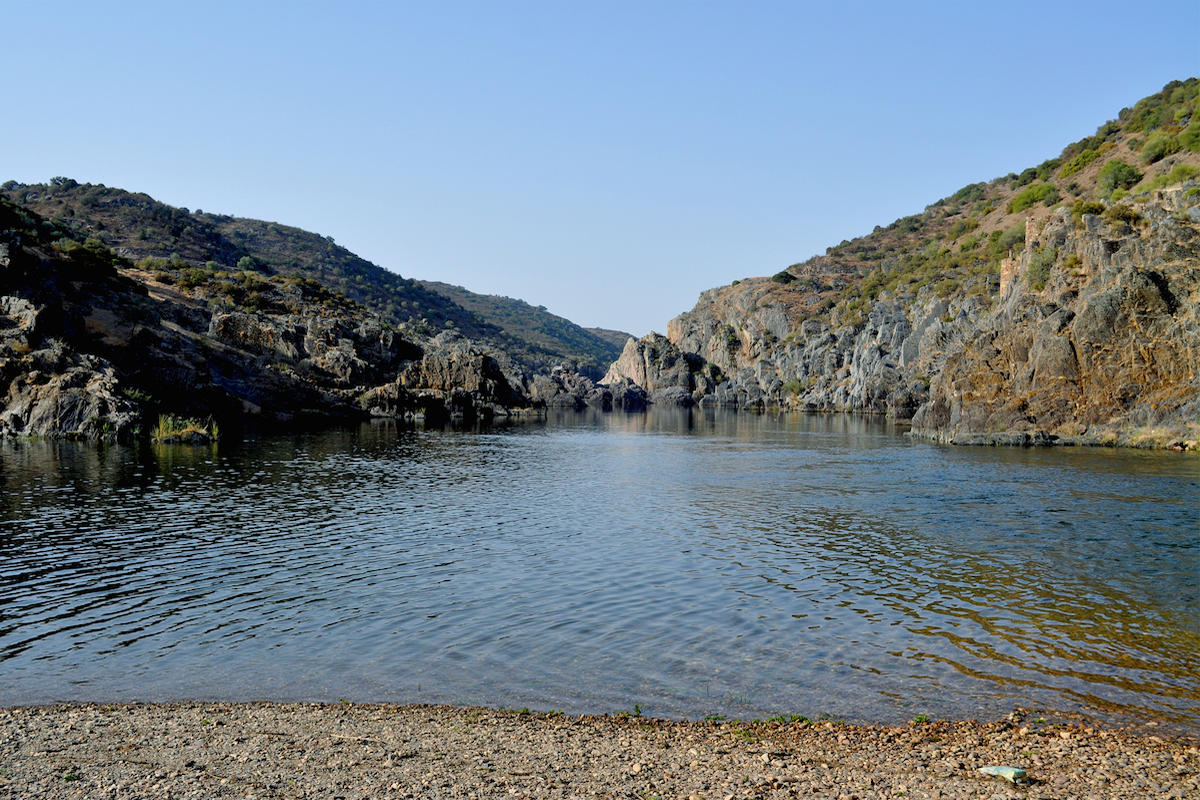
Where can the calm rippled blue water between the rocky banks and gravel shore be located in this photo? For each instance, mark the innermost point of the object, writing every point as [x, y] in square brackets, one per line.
[693, 564]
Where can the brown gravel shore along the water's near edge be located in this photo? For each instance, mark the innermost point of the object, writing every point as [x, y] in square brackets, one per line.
[265, 750]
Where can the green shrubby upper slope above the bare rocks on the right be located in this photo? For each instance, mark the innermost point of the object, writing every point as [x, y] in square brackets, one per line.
[957, 245]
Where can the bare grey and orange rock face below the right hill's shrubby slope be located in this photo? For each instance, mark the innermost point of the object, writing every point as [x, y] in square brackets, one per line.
[1090, 335]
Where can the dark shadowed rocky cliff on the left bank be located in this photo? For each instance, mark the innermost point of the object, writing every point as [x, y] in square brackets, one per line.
[92, 347]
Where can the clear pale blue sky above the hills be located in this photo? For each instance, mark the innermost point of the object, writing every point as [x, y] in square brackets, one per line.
[609, 161]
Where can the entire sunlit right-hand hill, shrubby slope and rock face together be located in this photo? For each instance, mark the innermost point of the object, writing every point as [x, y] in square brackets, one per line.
[1049, 306]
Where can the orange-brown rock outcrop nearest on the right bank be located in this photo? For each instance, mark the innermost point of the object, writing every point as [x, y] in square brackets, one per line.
[1108, 352]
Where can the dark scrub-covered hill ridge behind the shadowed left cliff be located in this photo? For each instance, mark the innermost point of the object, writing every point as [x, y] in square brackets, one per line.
[187, 246]
